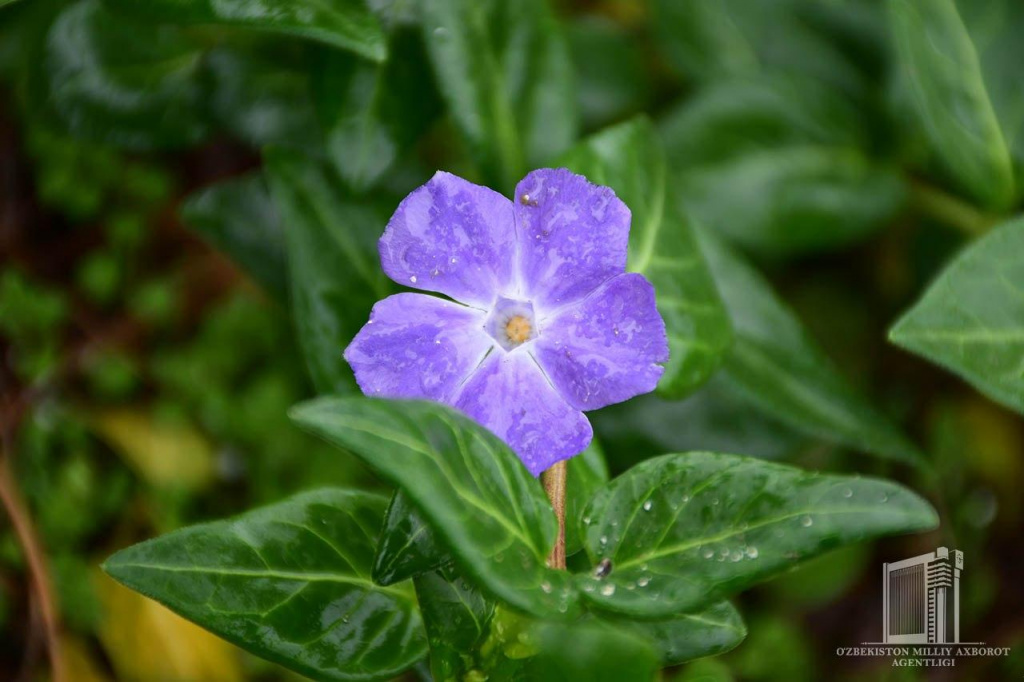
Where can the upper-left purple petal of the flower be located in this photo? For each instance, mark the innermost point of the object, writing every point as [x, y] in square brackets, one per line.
[452, 237]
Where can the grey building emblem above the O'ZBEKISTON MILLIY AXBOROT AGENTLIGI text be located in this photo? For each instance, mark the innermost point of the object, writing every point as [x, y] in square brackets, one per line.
[921, 600]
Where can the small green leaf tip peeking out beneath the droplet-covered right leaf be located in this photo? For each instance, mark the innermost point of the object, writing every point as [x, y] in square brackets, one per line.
[708, 633]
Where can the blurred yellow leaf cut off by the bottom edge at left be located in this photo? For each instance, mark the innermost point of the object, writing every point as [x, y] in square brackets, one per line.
[148, 642]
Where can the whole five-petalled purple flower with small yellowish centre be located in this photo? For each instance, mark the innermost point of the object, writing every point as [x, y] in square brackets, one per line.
[548, 324]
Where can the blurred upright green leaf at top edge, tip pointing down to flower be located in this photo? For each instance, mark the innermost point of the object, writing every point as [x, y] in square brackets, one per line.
[505, 73]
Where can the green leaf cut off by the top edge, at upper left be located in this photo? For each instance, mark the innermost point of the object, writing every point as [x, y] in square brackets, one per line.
[346, 24]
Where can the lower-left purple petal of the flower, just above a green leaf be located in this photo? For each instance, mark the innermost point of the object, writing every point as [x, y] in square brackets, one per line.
[418, 347]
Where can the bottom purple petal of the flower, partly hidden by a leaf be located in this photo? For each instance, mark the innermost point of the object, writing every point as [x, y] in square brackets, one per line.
[510, 396]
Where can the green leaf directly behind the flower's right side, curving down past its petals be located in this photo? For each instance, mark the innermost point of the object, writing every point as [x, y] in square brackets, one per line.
[628, 158]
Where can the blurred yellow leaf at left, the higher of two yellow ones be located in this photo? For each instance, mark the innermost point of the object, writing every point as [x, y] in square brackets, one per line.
[166, 455]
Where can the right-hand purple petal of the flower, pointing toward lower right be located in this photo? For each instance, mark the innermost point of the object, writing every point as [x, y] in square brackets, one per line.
[608, 348]
